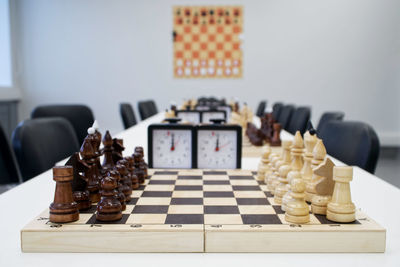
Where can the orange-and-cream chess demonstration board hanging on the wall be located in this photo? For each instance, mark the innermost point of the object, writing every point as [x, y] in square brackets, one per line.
[207, 41]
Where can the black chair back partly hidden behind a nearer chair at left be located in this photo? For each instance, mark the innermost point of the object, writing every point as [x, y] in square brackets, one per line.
[80, 116]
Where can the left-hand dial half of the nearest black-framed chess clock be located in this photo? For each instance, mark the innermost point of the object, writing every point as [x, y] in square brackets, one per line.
[171, 146]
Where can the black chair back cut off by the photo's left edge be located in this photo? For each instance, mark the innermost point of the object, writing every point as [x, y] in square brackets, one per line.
[9, 169]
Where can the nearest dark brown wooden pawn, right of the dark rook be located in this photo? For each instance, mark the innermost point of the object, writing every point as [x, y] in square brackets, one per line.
[109, 208]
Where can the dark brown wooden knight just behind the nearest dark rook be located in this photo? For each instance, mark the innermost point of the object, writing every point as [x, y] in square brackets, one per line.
[79, 184]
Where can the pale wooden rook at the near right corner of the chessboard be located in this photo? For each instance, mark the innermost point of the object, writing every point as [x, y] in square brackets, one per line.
[341, 209]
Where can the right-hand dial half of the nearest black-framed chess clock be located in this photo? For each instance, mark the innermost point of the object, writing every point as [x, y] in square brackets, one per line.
[219, 146]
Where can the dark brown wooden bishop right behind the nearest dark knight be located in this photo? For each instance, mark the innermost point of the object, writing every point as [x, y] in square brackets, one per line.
[92, 174]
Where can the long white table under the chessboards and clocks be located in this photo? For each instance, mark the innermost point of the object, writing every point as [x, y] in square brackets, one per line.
[20, 205]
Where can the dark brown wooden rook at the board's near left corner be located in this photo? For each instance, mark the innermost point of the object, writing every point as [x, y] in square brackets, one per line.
[63, 209]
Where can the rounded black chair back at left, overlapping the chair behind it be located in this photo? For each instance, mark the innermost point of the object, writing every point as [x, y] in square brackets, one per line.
[40, 143]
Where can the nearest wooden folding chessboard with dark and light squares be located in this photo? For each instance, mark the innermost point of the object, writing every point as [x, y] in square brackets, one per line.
[202, 211]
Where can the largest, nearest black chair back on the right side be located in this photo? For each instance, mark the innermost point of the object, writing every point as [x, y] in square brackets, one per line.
[354, 143]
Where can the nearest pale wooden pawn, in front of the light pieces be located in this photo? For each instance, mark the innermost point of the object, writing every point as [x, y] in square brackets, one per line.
[297, 210]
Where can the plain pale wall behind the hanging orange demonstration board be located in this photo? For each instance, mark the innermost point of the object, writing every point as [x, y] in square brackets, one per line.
[331, 55]
